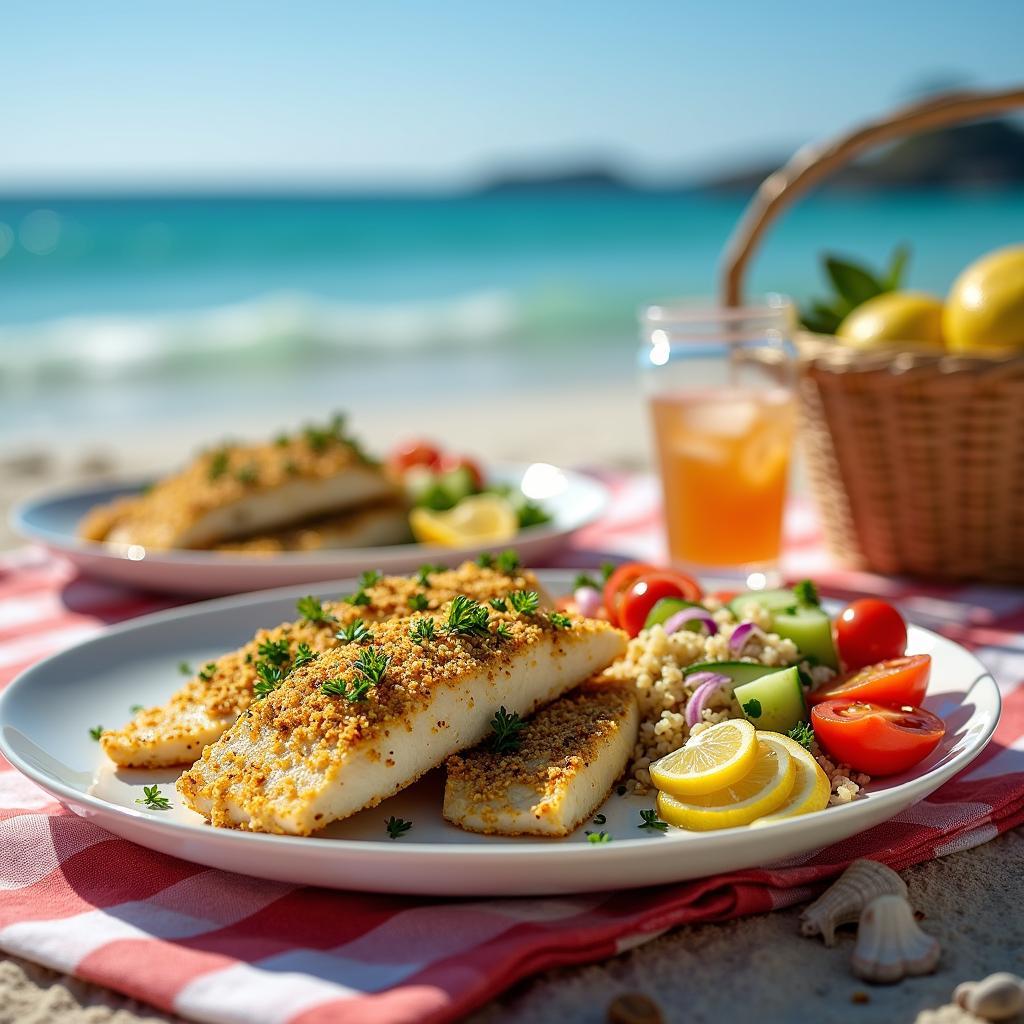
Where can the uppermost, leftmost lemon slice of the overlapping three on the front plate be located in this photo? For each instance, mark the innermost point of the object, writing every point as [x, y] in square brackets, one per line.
[711, 760]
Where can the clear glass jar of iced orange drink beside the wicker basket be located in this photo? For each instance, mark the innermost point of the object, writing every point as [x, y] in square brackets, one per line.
[720, 385]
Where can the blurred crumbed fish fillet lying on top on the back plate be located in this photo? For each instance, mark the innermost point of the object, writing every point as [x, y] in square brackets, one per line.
[238, 491]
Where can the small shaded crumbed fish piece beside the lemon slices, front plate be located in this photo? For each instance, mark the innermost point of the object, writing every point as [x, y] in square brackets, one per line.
[569, 756]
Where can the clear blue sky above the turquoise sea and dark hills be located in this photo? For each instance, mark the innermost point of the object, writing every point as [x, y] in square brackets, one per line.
[306, 94]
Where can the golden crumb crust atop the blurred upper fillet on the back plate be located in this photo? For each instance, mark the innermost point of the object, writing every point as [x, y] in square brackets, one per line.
[223, 478]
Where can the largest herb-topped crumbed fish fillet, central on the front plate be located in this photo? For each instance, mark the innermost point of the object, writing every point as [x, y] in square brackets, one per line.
[363, 722]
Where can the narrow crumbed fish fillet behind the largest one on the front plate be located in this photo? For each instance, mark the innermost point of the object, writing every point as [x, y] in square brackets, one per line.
[199, 713]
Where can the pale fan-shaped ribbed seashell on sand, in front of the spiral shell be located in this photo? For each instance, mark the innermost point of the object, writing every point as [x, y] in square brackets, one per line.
[890, 946]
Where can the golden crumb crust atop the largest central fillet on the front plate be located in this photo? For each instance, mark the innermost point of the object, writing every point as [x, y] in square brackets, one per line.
[308, 733]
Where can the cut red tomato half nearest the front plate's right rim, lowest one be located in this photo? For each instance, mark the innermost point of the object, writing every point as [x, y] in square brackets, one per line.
[872, 739]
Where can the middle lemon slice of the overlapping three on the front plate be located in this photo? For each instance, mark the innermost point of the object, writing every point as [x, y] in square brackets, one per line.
[763, 790]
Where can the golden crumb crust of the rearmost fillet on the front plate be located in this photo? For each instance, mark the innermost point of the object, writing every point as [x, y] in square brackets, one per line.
[225, 688]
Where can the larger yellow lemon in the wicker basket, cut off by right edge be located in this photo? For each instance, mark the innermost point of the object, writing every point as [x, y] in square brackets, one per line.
[986, 309]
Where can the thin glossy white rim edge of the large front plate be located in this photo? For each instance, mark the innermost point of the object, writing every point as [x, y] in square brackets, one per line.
[434, 851]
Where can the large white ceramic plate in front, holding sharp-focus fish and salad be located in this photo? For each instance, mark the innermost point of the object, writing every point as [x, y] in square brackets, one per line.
[47, 713]
